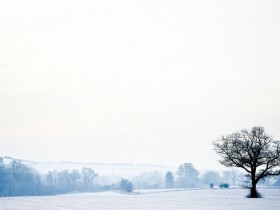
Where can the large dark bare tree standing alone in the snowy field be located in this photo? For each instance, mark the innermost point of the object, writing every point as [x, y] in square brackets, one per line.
[254, 151]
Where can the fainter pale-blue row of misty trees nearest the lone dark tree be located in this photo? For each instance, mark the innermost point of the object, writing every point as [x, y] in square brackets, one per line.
[186, 176]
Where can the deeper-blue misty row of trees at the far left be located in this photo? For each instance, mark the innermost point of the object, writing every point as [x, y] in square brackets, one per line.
[17, 179]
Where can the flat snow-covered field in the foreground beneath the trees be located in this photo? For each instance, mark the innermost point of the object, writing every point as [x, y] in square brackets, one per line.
[146, 200]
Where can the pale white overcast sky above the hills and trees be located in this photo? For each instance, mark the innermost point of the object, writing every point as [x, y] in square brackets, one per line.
[135, 81]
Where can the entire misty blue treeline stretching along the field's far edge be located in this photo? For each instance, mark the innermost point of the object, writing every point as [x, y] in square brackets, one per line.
[18, 179]
